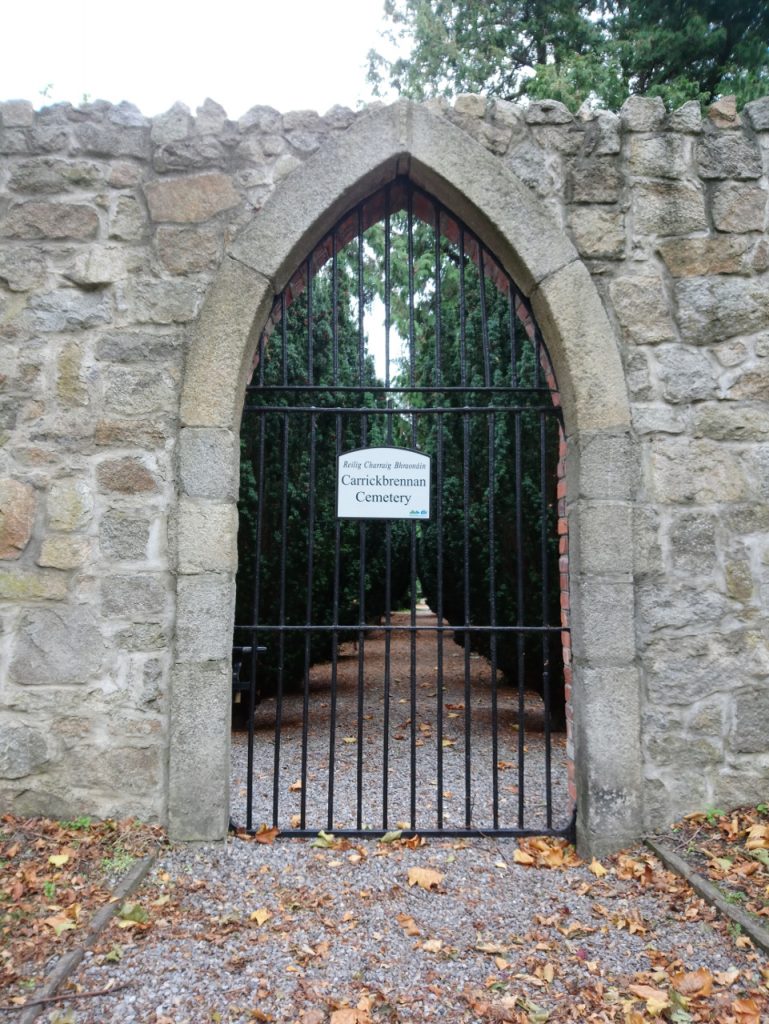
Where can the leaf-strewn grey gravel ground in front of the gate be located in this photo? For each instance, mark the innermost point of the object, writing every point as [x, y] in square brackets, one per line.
[291, 933]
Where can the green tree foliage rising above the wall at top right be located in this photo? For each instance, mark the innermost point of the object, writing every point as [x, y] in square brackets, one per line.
[601, 51]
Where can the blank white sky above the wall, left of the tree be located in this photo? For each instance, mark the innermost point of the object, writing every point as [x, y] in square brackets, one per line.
[292, 55]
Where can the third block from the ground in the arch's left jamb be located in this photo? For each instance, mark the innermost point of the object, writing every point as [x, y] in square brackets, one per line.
[206, 537]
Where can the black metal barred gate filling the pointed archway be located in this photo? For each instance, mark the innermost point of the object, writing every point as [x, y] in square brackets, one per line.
[409, 669]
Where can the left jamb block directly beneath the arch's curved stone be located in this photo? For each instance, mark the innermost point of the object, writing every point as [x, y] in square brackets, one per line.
[209, 464]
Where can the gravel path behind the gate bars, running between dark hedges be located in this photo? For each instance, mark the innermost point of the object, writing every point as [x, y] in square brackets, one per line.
[441, 767]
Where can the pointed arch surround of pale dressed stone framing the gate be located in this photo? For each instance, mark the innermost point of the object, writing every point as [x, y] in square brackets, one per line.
[407, 142]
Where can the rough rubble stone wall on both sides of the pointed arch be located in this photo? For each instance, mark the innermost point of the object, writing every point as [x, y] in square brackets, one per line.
[113, 229]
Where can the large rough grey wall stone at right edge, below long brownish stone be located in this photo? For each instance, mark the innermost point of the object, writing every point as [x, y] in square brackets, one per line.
[711, 310]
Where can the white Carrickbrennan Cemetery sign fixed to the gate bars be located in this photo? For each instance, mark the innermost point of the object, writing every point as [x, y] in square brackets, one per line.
[383, 484]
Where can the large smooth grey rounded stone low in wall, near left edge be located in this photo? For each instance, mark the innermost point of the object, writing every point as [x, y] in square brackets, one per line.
[56, 647]
